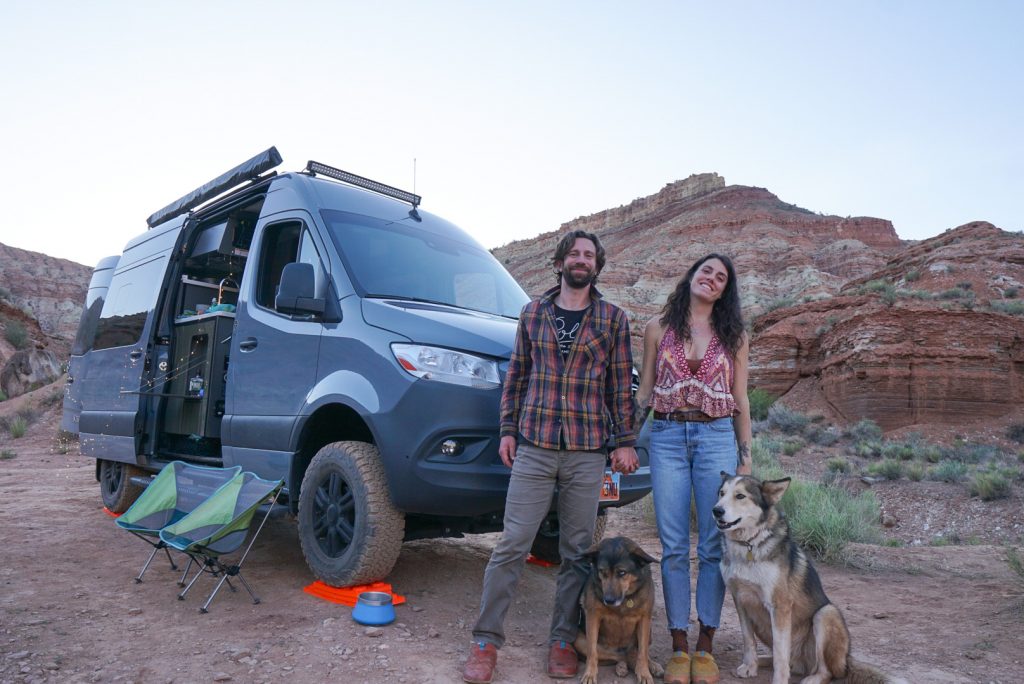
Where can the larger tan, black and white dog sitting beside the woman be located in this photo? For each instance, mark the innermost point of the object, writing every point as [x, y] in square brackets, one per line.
[778, 593]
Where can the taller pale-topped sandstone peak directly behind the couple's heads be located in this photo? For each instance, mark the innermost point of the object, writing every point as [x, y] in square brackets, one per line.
[783, 252]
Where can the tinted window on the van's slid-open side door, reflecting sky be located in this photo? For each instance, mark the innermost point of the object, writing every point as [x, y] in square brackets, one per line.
[132, 296]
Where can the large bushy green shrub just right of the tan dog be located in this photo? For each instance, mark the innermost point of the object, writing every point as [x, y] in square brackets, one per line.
[824, 520]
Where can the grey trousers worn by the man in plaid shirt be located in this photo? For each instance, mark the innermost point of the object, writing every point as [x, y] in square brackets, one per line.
[535, 475]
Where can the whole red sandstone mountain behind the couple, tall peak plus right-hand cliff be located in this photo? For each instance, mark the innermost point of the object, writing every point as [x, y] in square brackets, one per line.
[850, 322]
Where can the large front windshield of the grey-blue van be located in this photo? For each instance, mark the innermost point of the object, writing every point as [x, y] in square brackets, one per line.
[430, 262]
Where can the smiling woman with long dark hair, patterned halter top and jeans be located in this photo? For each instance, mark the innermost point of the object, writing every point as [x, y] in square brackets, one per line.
[695, 378]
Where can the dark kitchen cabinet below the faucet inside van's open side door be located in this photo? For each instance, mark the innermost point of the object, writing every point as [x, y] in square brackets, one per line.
[196, 401]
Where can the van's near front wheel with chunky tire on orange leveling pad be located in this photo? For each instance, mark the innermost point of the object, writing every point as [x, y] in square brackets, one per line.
[350, 531]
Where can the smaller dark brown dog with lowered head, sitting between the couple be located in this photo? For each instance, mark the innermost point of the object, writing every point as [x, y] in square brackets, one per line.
[618, 602]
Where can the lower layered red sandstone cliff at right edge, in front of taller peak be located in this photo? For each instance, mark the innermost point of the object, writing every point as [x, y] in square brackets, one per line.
[936, 335]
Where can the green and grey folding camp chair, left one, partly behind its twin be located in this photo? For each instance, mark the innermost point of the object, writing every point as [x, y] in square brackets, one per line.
[176, 492]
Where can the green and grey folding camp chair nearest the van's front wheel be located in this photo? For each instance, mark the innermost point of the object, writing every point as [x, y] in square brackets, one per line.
[220, 526]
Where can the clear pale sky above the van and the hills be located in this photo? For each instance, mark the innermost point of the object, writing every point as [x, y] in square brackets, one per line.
[521, 116]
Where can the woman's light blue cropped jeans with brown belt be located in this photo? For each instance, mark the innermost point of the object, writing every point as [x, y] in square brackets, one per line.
[688, 457]
